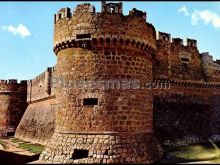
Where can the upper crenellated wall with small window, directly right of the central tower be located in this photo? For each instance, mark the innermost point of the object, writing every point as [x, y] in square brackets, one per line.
[176, 60]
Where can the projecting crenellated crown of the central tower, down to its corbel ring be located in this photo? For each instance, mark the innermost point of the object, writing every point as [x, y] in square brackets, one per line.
[85, 28]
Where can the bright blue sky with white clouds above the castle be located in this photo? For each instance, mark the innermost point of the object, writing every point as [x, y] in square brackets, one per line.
[26, 30]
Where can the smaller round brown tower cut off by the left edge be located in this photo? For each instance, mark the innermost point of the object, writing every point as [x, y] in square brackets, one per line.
[12, 105]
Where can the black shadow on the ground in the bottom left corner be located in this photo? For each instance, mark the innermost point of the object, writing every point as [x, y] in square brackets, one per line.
[9, 158]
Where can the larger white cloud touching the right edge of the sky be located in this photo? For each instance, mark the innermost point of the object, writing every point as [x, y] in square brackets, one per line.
[207, 17]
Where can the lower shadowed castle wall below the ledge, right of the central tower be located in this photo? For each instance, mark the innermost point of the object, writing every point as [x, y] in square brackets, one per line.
[186, 115]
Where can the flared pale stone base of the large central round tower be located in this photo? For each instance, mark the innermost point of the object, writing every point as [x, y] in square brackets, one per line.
[77, 148]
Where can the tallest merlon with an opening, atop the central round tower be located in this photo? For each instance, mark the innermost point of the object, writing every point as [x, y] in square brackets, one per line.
[111, 7]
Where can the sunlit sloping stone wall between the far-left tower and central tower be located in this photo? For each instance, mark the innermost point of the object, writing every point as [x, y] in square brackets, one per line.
[38, 122]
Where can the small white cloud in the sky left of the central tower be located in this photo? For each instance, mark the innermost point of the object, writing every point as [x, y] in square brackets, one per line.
[20, 30]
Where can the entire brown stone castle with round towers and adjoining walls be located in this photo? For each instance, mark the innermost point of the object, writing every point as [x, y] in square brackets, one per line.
[99, 125]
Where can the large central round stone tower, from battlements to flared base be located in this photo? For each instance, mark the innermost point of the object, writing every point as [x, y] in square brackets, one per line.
[102, 60]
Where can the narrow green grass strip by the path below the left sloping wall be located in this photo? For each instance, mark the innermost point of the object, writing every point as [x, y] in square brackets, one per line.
[34, 148]
